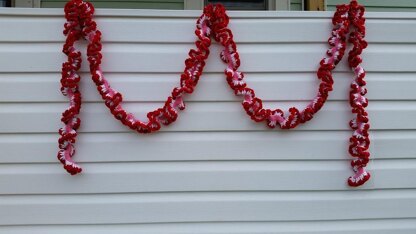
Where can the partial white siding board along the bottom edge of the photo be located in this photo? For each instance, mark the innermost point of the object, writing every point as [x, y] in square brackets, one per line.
[383, 226]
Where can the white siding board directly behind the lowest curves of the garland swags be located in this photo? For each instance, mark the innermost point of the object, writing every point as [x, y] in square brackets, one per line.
[203, 116]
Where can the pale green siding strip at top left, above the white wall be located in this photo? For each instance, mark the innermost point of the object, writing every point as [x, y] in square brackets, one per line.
[128, 4]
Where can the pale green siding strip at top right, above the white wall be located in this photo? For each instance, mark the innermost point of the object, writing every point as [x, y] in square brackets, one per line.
[379, 5]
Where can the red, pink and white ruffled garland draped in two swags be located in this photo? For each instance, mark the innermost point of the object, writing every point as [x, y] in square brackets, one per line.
[348, 21]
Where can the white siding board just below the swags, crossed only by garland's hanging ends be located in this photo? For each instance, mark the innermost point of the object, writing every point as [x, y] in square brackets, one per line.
[205, 146]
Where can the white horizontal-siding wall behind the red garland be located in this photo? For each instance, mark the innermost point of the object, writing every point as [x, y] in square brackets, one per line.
[214, 170]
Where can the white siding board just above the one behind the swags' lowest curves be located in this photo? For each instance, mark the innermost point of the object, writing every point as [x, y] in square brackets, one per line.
[147, 87]
